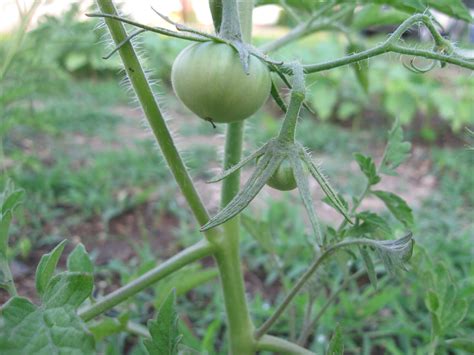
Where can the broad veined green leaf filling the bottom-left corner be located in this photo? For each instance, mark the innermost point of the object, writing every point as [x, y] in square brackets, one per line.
[54, 327]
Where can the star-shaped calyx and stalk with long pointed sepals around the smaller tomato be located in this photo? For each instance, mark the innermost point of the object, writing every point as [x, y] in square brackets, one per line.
[283, 149]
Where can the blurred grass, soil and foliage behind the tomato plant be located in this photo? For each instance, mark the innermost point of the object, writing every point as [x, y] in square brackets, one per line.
[74, 140]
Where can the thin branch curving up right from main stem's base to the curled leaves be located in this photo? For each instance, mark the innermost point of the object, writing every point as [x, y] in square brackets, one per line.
[302, 280]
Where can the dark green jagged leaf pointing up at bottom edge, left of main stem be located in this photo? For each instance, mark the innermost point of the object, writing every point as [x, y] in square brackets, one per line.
[164, 332]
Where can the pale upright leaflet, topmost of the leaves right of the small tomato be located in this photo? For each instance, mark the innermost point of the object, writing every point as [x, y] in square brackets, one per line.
[396, 152]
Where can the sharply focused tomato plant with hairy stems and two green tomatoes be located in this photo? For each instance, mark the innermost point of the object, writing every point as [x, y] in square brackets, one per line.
[223, 78]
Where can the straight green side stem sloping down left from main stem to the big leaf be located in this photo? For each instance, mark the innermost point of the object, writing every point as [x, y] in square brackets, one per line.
[198, 251]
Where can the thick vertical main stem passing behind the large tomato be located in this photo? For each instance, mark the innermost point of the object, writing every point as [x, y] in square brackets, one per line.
[227, 254]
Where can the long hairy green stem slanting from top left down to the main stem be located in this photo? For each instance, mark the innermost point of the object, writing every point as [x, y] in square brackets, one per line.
[146, 97]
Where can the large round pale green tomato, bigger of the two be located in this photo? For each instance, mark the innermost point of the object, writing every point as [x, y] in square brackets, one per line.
[210, 80]
